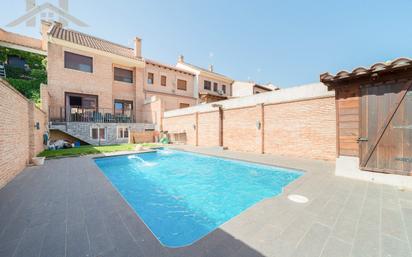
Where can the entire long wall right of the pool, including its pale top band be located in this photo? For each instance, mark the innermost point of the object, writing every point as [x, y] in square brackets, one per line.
[298, 122]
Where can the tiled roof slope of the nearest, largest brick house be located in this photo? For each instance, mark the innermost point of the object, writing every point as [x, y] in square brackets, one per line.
[91, 42]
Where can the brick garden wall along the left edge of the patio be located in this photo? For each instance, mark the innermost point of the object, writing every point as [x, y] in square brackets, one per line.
[19, 140]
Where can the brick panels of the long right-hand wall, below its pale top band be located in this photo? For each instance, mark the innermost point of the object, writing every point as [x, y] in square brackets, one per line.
[304, 128]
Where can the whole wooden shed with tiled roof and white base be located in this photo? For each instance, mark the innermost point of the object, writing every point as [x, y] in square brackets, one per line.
[374, 121]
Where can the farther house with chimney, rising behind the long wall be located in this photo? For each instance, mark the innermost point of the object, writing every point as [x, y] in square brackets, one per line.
[209, 86]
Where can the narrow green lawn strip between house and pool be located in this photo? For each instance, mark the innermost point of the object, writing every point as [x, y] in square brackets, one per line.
[89, 149]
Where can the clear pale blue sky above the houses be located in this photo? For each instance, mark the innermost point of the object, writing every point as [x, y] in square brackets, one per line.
[287, 43]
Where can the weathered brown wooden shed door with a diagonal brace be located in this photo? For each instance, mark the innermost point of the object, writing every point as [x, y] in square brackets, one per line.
[386, 128]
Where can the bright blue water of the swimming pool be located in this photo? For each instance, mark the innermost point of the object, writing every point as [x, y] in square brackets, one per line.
[182, 196]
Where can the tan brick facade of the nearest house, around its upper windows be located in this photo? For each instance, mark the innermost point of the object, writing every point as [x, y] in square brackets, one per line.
[100, 82]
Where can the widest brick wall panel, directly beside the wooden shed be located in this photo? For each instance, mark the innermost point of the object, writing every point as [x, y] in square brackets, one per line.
[302, 129]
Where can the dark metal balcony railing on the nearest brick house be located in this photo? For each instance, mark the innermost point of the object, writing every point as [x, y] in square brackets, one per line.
[81, 114]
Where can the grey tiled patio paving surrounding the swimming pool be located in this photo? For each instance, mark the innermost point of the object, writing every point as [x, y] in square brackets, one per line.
[68, 208]
